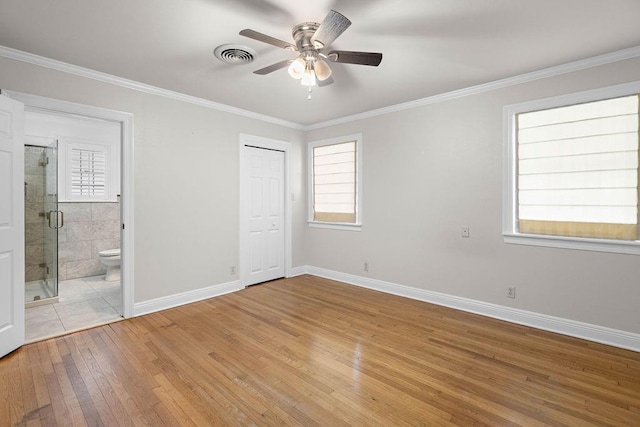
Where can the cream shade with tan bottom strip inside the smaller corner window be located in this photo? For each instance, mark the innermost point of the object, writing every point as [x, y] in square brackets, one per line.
[334, 182]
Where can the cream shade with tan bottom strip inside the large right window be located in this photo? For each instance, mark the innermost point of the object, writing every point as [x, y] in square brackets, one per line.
[578, 170]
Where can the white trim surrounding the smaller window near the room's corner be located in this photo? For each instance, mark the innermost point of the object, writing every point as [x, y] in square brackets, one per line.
[357, 226]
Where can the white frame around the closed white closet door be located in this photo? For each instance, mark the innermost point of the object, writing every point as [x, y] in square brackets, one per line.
[267, 144]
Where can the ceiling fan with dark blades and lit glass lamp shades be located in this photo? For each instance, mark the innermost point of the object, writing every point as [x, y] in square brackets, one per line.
[312, 42]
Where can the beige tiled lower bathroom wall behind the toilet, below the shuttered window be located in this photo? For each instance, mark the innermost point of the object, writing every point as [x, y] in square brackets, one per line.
[88, 229]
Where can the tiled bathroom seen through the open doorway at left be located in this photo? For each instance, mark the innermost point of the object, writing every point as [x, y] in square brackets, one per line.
[72, 223]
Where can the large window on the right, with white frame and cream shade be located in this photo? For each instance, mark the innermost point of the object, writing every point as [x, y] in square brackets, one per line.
[573, 171]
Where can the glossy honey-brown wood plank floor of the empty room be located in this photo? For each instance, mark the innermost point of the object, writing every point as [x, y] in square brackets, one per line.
[310, 351]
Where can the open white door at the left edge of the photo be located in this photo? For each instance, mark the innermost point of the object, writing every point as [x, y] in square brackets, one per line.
[11, 225]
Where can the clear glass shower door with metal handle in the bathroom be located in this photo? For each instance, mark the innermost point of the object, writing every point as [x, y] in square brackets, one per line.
[54, 219]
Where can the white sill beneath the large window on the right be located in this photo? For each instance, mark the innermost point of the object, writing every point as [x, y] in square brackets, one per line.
[597, 245]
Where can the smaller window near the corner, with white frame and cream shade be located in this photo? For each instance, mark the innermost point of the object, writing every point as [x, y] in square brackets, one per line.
[335, 182]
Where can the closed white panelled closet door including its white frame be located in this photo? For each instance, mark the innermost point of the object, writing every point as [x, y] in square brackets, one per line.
[265, 219]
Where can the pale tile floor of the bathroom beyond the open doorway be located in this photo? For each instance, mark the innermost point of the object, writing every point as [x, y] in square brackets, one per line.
[85, 302]
